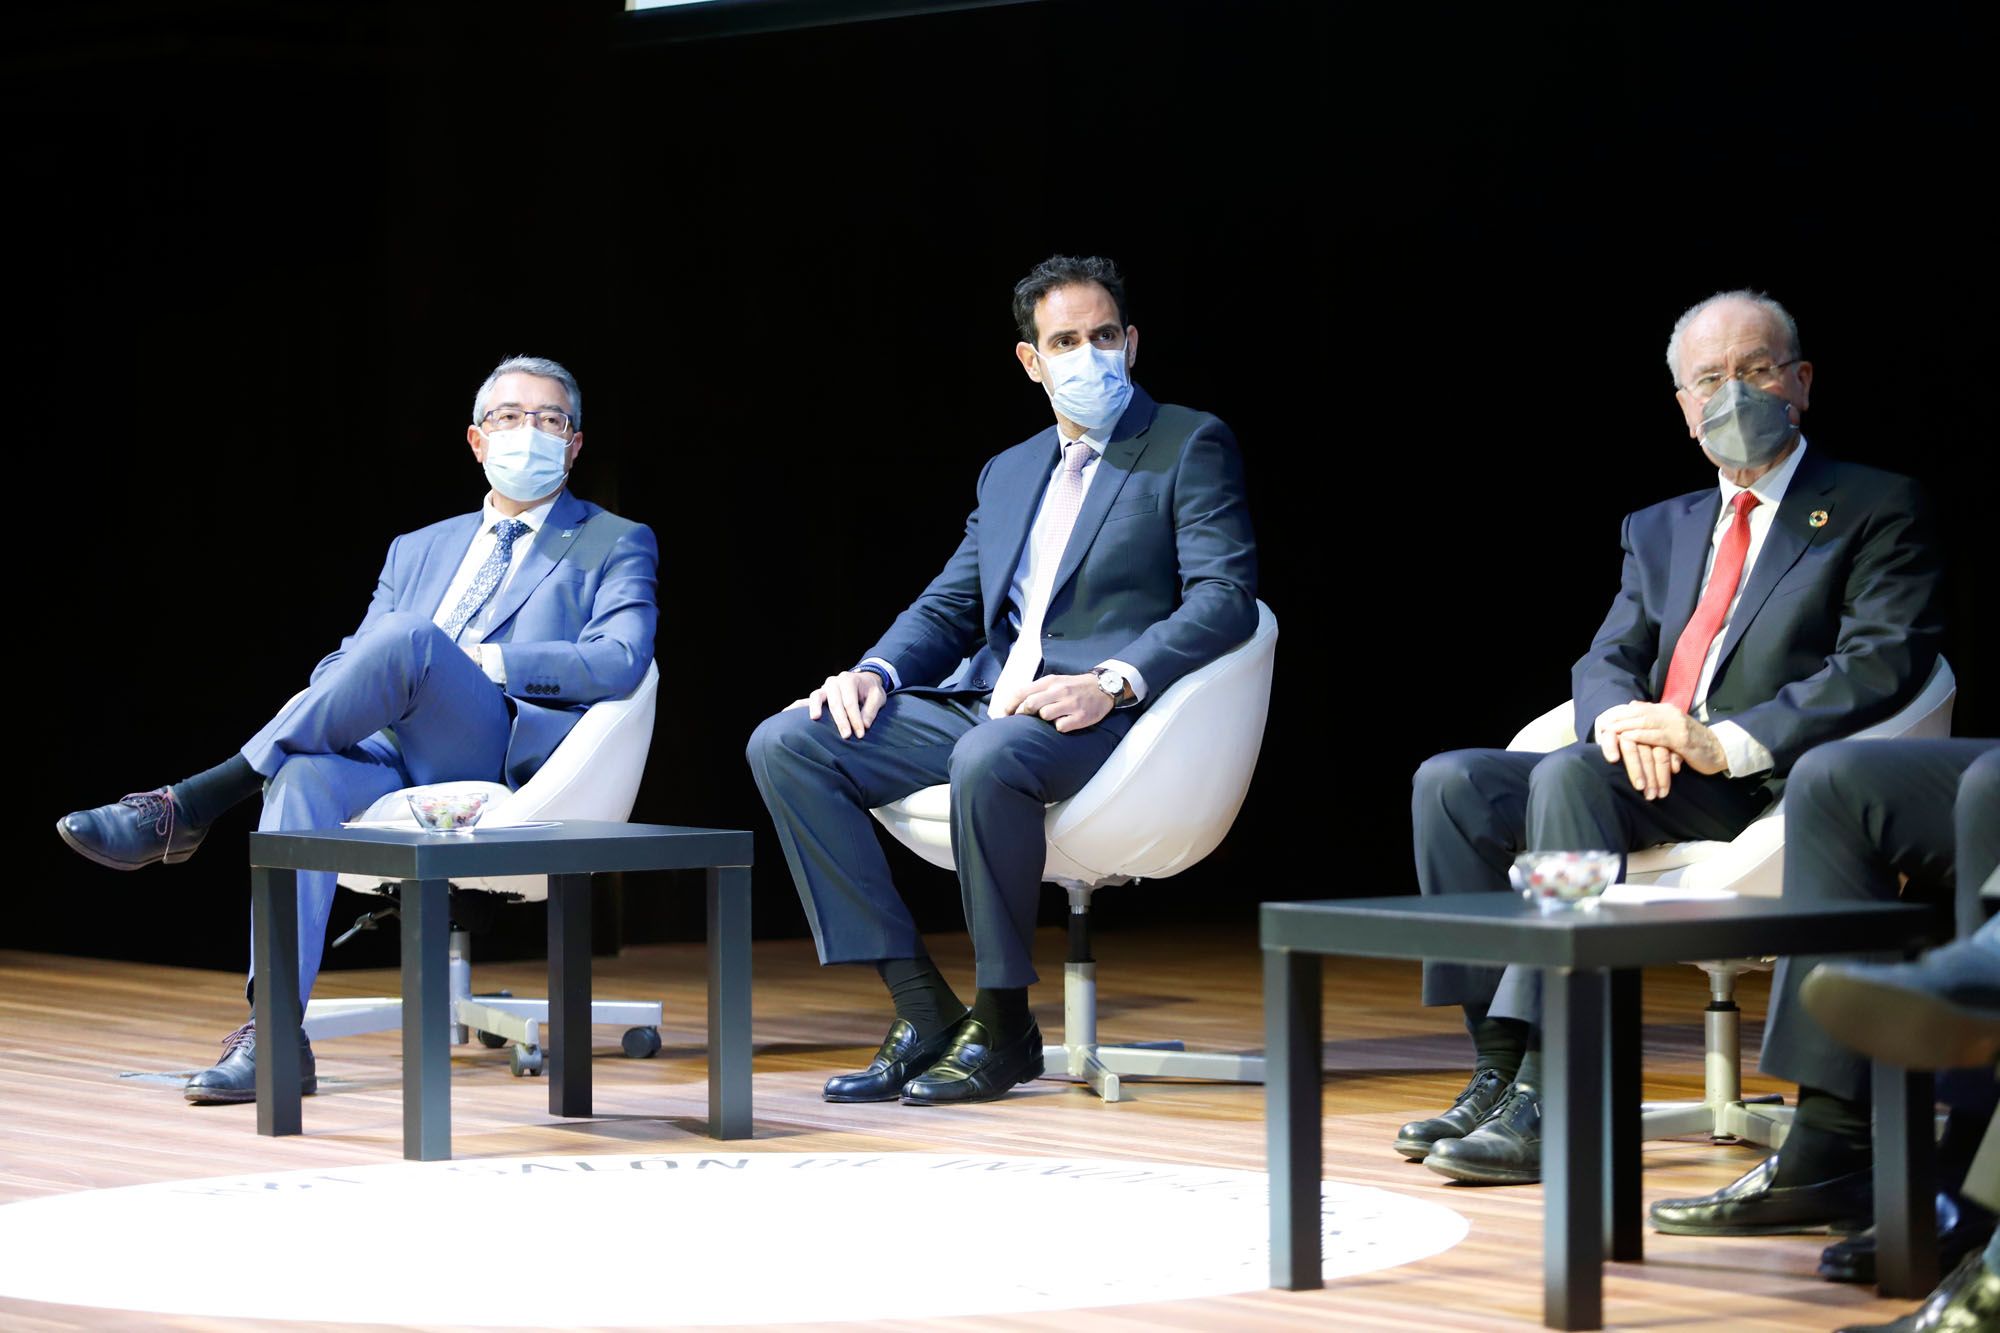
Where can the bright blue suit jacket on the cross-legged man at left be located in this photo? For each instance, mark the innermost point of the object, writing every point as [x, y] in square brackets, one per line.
[575, 623]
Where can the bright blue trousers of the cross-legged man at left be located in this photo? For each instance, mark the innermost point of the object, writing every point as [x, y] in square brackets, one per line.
[401, 708]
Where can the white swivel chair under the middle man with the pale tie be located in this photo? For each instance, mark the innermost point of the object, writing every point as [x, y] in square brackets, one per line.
[1163, 802]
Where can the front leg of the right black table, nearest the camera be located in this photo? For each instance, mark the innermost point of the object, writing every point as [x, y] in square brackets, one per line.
[1573, 1148]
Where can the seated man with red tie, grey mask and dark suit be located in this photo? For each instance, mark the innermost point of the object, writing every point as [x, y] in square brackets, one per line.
[1787, 605]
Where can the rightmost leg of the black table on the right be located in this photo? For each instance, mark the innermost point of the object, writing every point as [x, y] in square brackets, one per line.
[1907, 1182]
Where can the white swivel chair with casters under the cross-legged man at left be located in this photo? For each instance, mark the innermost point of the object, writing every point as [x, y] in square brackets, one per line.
[595, 774]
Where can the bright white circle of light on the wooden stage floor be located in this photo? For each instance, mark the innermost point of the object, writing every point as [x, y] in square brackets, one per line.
[685, 1238]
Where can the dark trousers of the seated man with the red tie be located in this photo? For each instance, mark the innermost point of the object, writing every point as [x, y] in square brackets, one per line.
[1473, 812]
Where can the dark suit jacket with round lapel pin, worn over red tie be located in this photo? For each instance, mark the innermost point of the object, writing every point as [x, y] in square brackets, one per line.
[1837, 625]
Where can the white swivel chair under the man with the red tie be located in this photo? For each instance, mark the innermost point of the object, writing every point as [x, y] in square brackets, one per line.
[1749, 866]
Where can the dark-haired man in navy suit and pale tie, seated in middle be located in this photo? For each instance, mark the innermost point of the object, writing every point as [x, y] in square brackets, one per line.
[1107, 557]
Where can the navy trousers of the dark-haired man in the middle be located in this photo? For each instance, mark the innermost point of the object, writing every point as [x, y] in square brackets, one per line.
[1003, 772]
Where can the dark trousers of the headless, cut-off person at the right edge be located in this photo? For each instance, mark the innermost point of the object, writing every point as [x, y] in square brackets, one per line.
[1857, 818]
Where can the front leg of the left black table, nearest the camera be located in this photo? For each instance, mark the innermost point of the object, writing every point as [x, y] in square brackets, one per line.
[427, 1002]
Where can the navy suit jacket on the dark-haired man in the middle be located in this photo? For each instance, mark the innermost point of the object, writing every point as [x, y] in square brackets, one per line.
[1161, 569]
